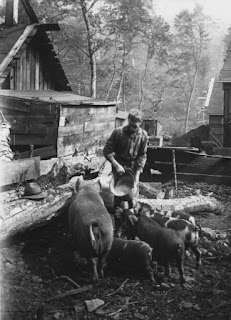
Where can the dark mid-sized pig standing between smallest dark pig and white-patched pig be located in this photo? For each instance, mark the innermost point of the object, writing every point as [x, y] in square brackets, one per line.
[166, 243]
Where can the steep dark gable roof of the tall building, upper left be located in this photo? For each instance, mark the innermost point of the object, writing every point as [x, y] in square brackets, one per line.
[12, 40]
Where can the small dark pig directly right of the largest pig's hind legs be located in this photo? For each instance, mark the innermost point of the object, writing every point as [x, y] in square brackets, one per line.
[133, 253]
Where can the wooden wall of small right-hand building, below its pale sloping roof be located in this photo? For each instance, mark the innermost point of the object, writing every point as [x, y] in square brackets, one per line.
[216, 129]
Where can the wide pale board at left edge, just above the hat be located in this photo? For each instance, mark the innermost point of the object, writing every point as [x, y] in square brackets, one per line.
[13, 171]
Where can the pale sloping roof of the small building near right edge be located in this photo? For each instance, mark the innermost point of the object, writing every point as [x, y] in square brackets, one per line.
[216, 104]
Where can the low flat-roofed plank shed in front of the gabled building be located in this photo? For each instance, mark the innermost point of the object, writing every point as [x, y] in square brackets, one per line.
[56, 123]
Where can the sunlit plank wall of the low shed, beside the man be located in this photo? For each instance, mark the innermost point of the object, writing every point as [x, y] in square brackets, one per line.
[84, 129]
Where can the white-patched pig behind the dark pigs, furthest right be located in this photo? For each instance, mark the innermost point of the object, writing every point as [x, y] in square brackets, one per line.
[188, 232]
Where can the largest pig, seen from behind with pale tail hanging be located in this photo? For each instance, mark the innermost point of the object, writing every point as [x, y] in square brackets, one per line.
[91, 226]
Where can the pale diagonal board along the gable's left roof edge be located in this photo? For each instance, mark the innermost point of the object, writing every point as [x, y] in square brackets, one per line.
[15, 48]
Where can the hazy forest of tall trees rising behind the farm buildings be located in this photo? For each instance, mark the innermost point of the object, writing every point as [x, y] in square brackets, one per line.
[121, 50]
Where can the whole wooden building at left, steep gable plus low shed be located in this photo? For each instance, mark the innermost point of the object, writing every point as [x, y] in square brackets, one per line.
[46, 117]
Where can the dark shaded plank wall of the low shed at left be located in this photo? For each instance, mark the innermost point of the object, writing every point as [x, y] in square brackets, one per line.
[32, 123]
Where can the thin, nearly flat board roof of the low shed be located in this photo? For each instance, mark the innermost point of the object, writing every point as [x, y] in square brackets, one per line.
[50, 96]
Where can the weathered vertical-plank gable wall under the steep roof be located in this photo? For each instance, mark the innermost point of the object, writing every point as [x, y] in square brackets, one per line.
[29, 72]
